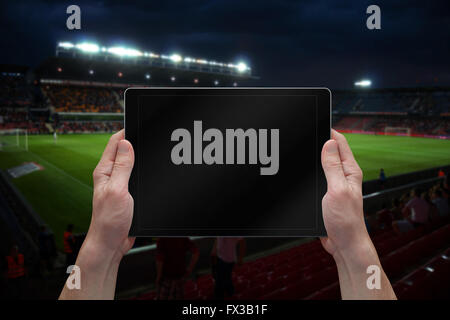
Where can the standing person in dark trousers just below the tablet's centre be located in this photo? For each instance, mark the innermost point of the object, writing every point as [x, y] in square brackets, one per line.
[224, 258]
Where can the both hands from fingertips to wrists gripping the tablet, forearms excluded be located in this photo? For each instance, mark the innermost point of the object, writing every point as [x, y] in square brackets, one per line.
[112, 213]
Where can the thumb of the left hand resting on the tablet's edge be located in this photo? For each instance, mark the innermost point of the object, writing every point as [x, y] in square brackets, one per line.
[123, 165]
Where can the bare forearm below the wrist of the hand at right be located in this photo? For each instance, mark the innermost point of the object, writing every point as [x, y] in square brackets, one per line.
[352, 264]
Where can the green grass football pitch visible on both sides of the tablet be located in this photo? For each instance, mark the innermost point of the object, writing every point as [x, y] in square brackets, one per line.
[62, 192]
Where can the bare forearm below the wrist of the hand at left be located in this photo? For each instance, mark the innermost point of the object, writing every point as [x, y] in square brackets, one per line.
[98, 274]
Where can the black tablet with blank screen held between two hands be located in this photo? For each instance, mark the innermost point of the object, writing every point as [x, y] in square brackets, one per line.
[227, 161]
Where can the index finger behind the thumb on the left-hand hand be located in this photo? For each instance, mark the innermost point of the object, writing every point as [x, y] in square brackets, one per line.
[104, 167]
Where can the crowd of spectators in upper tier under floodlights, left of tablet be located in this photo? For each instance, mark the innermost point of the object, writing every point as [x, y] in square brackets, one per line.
[81, 99]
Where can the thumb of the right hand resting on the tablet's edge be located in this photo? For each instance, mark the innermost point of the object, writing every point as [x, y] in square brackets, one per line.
[332, 166]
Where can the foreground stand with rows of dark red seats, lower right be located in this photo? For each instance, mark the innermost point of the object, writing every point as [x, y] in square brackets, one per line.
[308, 272]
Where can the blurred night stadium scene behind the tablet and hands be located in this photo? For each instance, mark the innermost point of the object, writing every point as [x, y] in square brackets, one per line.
[61, 97]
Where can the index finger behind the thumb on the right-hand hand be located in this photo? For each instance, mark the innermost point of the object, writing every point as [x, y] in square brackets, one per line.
[351, 168]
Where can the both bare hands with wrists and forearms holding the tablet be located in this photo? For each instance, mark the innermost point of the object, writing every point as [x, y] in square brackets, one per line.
[342, 207]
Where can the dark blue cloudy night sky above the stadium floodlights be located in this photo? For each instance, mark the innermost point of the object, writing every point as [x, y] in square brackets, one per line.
[287, 43]
